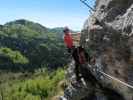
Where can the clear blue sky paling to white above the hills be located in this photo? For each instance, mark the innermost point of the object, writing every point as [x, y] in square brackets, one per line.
[50, 13]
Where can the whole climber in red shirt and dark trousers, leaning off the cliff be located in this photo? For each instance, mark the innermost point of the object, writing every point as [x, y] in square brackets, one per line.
[78, 53]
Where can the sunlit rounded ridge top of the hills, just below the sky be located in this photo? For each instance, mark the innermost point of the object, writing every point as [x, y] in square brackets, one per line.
[26, 26]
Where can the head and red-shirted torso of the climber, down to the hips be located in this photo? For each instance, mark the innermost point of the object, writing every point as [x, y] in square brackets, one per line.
[68, 39]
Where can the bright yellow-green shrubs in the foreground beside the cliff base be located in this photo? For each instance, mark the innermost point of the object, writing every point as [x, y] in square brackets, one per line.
[42, 86]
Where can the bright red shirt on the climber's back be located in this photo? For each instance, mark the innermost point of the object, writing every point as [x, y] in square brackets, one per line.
[68, 40]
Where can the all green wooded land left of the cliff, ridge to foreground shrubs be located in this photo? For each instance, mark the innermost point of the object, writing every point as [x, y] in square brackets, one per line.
[32, 61]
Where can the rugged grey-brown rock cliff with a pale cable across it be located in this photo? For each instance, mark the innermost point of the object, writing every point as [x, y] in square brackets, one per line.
[108, 34]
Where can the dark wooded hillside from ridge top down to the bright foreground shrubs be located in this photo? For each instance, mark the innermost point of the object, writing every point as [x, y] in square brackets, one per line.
[40, 45]
